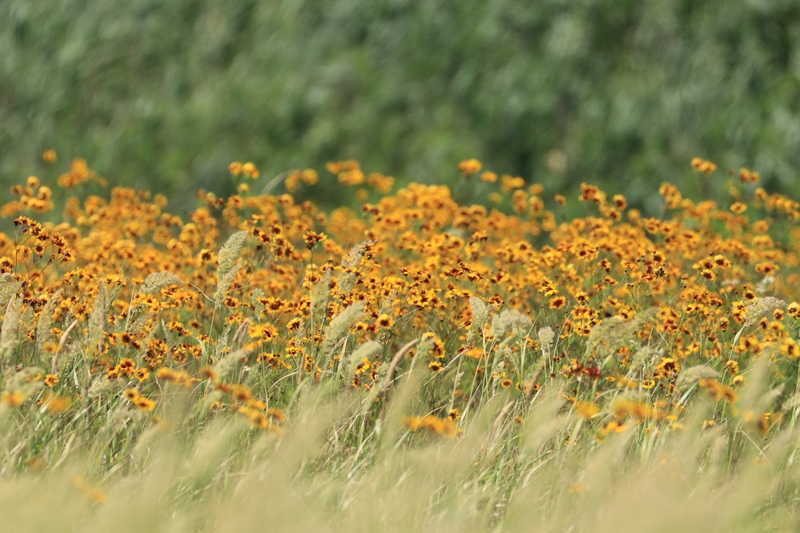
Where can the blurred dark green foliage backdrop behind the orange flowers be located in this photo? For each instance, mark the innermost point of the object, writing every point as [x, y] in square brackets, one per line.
[164, 94]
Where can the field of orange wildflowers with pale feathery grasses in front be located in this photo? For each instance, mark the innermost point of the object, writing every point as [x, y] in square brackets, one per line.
[417, 364]
